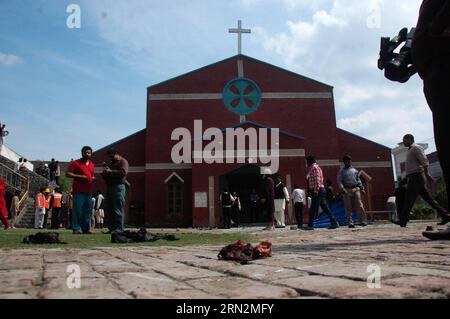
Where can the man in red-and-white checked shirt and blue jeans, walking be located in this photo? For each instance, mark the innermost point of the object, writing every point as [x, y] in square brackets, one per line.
[318, 194]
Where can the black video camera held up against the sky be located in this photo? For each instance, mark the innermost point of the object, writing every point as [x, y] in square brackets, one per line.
[397, 66]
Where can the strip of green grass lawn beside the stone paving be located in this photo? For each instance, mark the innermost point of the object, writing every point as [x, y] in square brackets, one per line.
[12, 239]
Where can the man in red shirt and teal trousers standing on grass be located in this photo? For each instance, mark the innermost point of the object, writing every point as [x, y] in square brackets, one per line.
[82, 172]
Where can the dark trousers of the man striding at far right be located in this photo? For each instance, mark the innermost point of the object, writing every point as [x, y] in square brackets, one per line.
[417, 186]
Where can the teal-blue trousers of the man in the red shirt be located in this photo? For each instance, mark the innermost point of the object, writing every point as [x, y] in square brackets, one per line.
[81, 212]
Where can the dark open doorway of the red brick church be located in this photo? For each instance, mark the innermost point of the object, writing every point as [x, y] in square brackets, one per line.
[246, 182]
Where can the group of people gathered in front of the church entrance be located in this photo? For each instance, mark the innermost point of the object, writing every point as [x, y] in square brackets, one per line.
[274, 198]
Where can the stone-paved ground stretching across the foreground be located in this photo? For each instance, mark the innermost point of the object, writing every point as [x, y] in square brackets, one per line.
[318, 264]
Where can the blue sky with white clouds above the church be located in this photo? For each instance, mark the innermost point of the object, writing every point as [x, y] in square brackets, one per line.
[62, 88]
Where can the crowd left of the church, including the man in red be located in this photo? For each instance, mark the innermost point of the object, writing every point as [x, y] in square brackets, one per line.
[79, 210]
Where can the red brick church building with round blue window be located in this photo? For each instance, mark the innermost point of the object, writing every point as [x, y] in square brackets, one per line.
[167, 193]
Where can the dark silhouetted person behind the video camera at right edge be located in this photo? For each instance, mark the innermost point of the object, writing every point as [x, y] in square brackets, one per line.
[431, 58]
